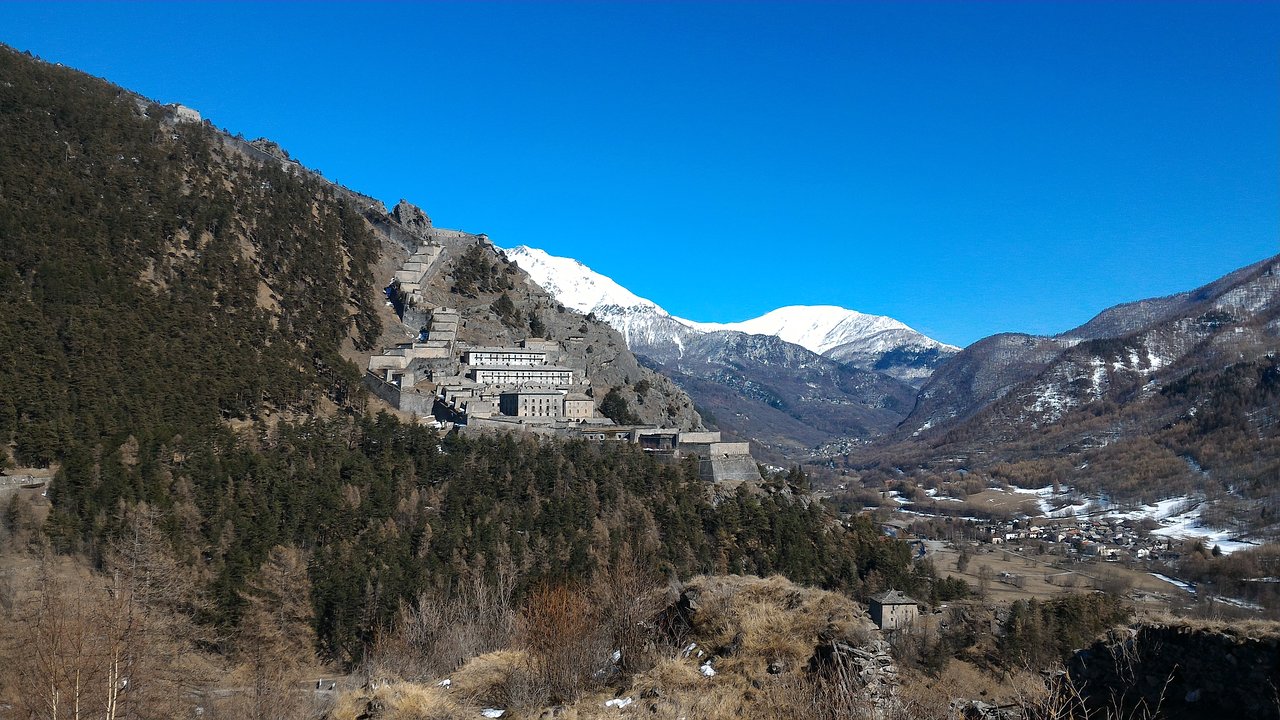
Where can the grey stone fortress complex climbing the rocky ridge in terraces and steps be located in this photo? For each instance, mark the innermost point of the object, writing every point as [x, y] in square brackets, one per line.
[537, 386]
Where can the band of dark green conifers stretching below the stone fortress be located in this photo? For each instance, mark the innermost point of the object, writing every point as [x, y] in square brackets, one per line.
[383, 512]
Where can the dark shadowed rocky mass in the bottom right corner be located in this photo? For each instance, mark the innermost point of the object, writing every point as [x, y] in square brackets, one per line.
[1182, 672]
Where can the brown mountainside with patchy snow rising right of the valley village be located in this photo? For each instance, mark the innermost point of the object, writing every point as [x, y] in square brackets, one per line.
[1149, 400]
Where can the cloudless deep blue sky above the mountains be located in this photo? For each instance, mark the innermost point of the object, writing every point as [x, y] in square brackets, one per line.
[967, 168]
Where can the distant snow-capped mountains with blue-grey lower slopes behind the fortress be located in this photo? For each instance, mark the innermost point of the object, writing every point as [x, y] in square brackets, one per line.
[796, 380]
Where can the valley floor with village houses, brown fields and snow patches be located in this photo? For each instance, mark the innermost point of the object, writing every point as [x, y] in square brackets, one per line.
[1013, 544]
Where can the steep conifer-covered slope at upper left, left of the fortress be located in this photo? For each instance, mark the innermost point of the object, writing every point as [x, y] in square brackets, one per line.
[144, 270]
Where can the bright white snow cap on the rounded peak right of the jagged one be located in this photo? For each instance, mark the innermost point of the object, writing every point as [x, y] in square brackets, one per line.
[824, 327]
